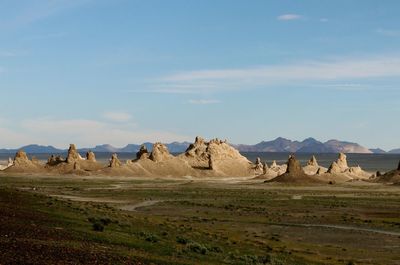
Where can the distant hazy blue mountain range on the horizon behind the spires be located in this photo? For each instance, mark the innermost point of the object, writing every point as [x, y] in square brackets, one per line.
[309, 145]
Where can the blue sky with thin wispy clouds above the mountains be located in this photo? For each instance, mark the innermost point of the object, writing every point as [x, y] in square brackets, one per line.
[125, 71]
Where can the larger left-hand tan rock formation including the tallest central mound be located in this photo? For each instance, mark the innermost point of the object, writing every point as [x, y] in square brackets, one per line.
[202, 158]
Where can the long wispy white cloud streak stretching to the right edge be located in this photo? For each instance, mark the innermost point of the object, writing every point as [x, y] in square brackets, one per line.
[334, 70]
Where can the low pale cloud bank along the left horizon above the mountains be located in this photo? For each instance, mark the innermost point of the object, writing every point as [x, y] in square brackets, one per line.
[83, 132]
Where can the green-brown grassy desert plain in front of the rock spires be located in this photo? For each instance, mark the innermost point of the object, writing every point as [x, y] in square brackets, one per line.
[75, 220]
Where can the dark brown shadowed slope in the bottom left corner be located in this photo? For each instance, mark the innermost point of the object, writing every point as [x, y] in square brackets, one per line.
[34, 237]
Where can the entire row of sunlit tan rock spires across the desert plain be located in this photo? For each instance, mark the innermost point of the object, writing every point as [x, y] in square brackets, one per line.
[215, 158]
